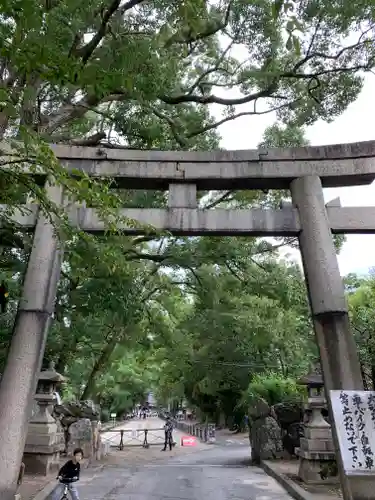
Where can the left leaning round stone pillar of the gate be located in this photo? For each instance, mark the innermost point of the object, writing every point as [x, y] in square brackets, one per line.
[18, 383]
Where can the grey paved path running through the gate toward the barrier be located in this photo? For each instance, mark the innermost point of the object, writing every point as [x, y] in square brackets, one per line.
[208, 473]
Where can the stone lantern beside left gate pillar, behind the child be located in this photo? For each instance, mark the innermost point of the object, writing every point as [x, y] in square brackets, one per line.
[42, 449]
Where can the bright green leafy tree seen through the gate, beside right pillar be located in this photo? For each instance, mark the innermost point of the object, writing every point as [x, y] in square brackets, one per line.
[248, 313]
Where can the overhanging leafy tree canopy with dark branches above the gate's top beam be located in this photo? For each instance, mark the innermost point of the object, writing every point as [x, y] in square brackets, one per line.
[64, 64]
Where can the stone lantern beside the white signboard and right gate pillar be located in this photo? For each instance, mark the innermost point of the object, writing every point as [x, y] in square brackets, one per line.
[316, 453]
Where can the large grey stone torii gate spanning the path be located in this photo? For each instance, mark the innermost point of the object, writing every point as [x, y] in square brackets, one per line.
[305, 171]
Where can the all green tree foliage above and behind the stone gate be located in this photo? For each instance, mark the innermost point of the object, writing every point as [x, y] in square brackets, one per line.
[192, 318]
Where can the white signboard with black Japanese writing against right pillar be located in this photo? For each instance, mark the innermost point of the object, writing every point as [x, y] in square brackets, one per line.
[354, 414]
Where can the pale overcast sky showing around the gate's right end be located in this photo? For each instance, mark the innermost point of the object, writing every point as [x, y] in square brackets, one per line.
[356, 124]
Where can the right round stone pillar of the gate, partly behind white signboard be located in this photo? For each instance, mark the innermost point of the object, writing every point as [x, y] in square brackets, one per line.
[329, 308]
